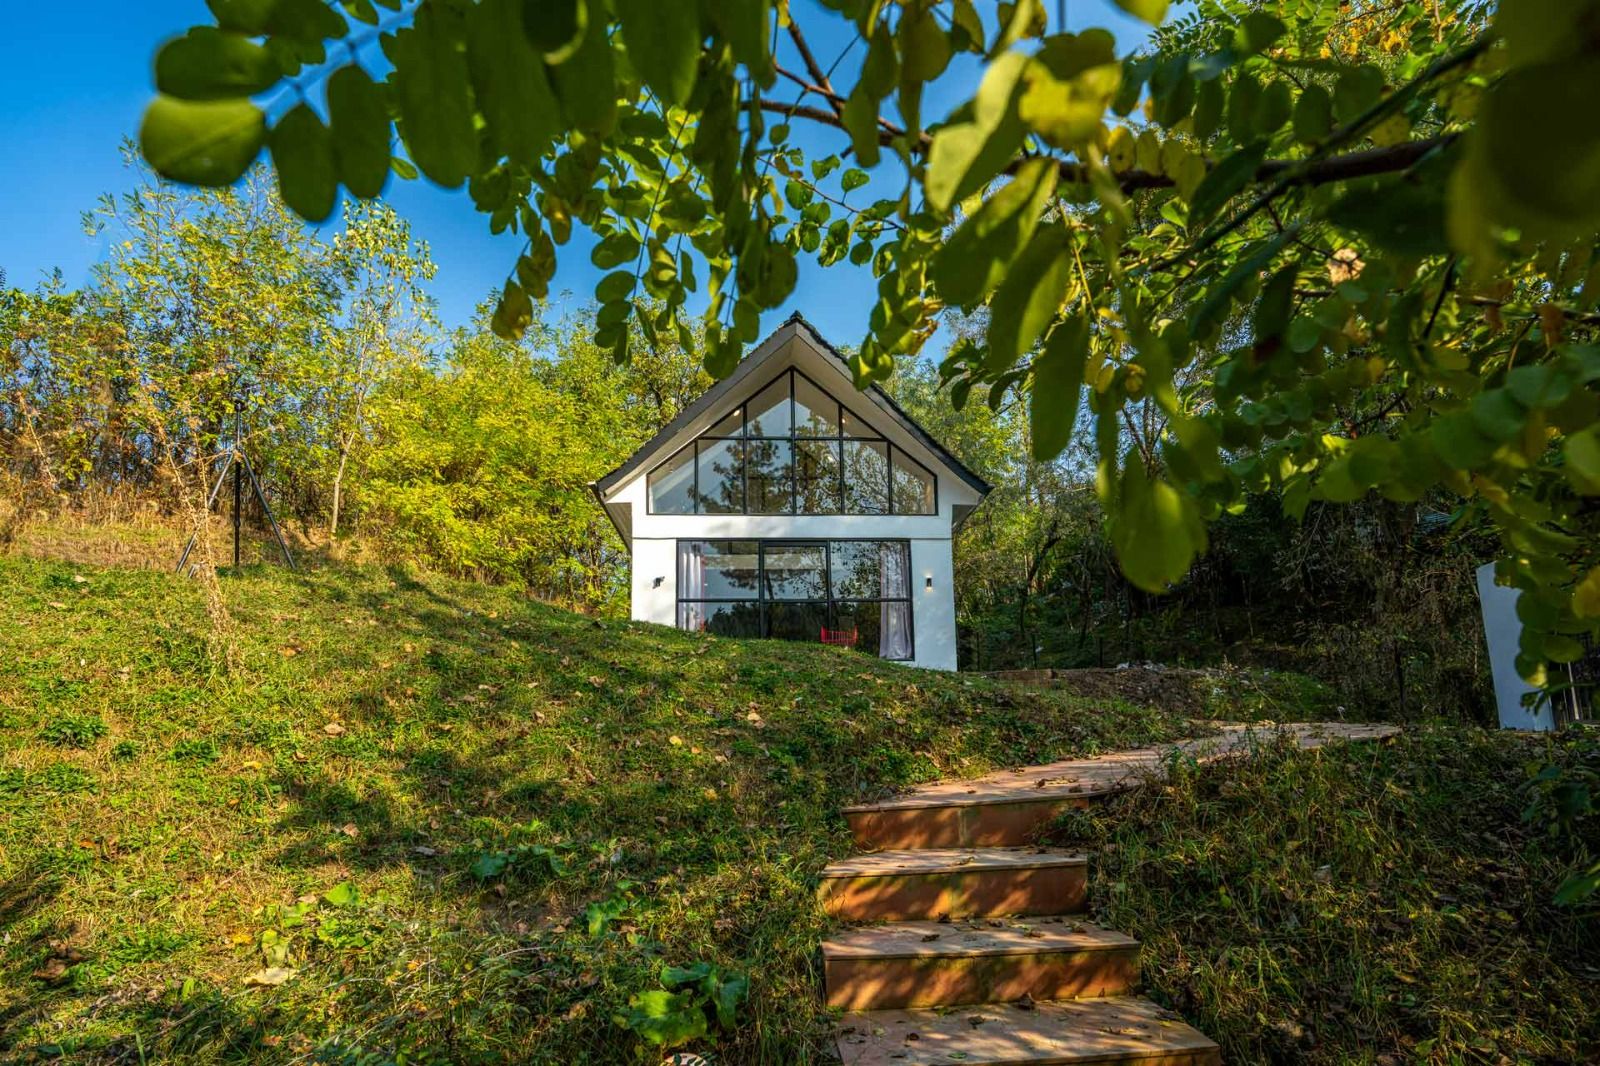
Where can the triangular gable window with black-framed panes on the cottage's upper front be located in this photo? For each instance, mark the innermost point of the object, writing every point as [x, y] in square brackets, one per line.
[793, 449]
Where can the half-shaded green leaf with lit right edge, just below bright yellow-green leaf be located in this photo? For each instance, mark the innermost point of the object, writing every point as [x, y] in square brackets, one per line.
[974, 262]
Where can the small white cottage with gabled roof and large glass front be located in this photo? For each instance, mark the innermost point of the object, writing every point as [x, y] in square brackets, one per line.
[785, 503]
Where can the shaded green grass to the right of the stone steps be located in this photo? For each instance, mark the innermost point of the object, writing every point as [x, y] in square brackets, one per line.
[1366, 904]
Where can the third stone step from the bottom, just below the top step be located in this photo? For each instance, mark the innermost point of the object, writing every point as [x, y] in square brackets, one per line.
[954, 883]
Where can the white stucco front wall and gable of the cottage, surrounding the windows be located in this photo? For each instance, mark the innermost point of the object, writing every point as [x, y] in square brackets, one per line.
[655, 537]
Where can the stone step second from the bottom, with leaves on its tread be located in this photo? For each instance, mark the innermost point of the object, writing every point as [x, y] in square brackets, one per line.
[927, 964]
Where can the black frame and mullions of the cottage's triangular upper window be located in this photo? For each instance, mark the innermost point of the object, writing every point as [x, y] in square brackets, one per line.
[890, 452]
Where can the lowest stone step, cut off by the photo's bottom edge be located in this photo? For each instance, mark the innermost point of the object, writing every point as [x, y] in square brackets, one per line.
[1129, 1032]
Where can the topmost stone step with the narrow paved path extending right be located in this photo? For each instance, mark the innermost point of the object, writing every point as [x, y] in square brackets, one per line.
[1012, 808]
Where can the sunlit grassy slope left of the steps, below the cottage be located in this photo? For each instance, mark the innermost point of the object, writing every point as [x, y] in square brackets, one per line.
[463, 827]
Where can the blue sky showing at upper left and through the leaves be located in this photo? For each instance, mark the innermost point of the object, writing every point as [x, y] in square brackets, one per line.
[78, 79]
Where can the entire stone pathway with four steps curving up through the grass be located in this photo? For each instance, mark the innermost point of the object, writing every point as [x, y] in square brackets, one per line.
[978, 953]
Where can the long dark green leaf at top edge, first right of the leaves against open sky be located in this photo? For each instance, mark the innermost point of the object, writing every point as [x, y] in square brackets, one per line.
[434, 98]
